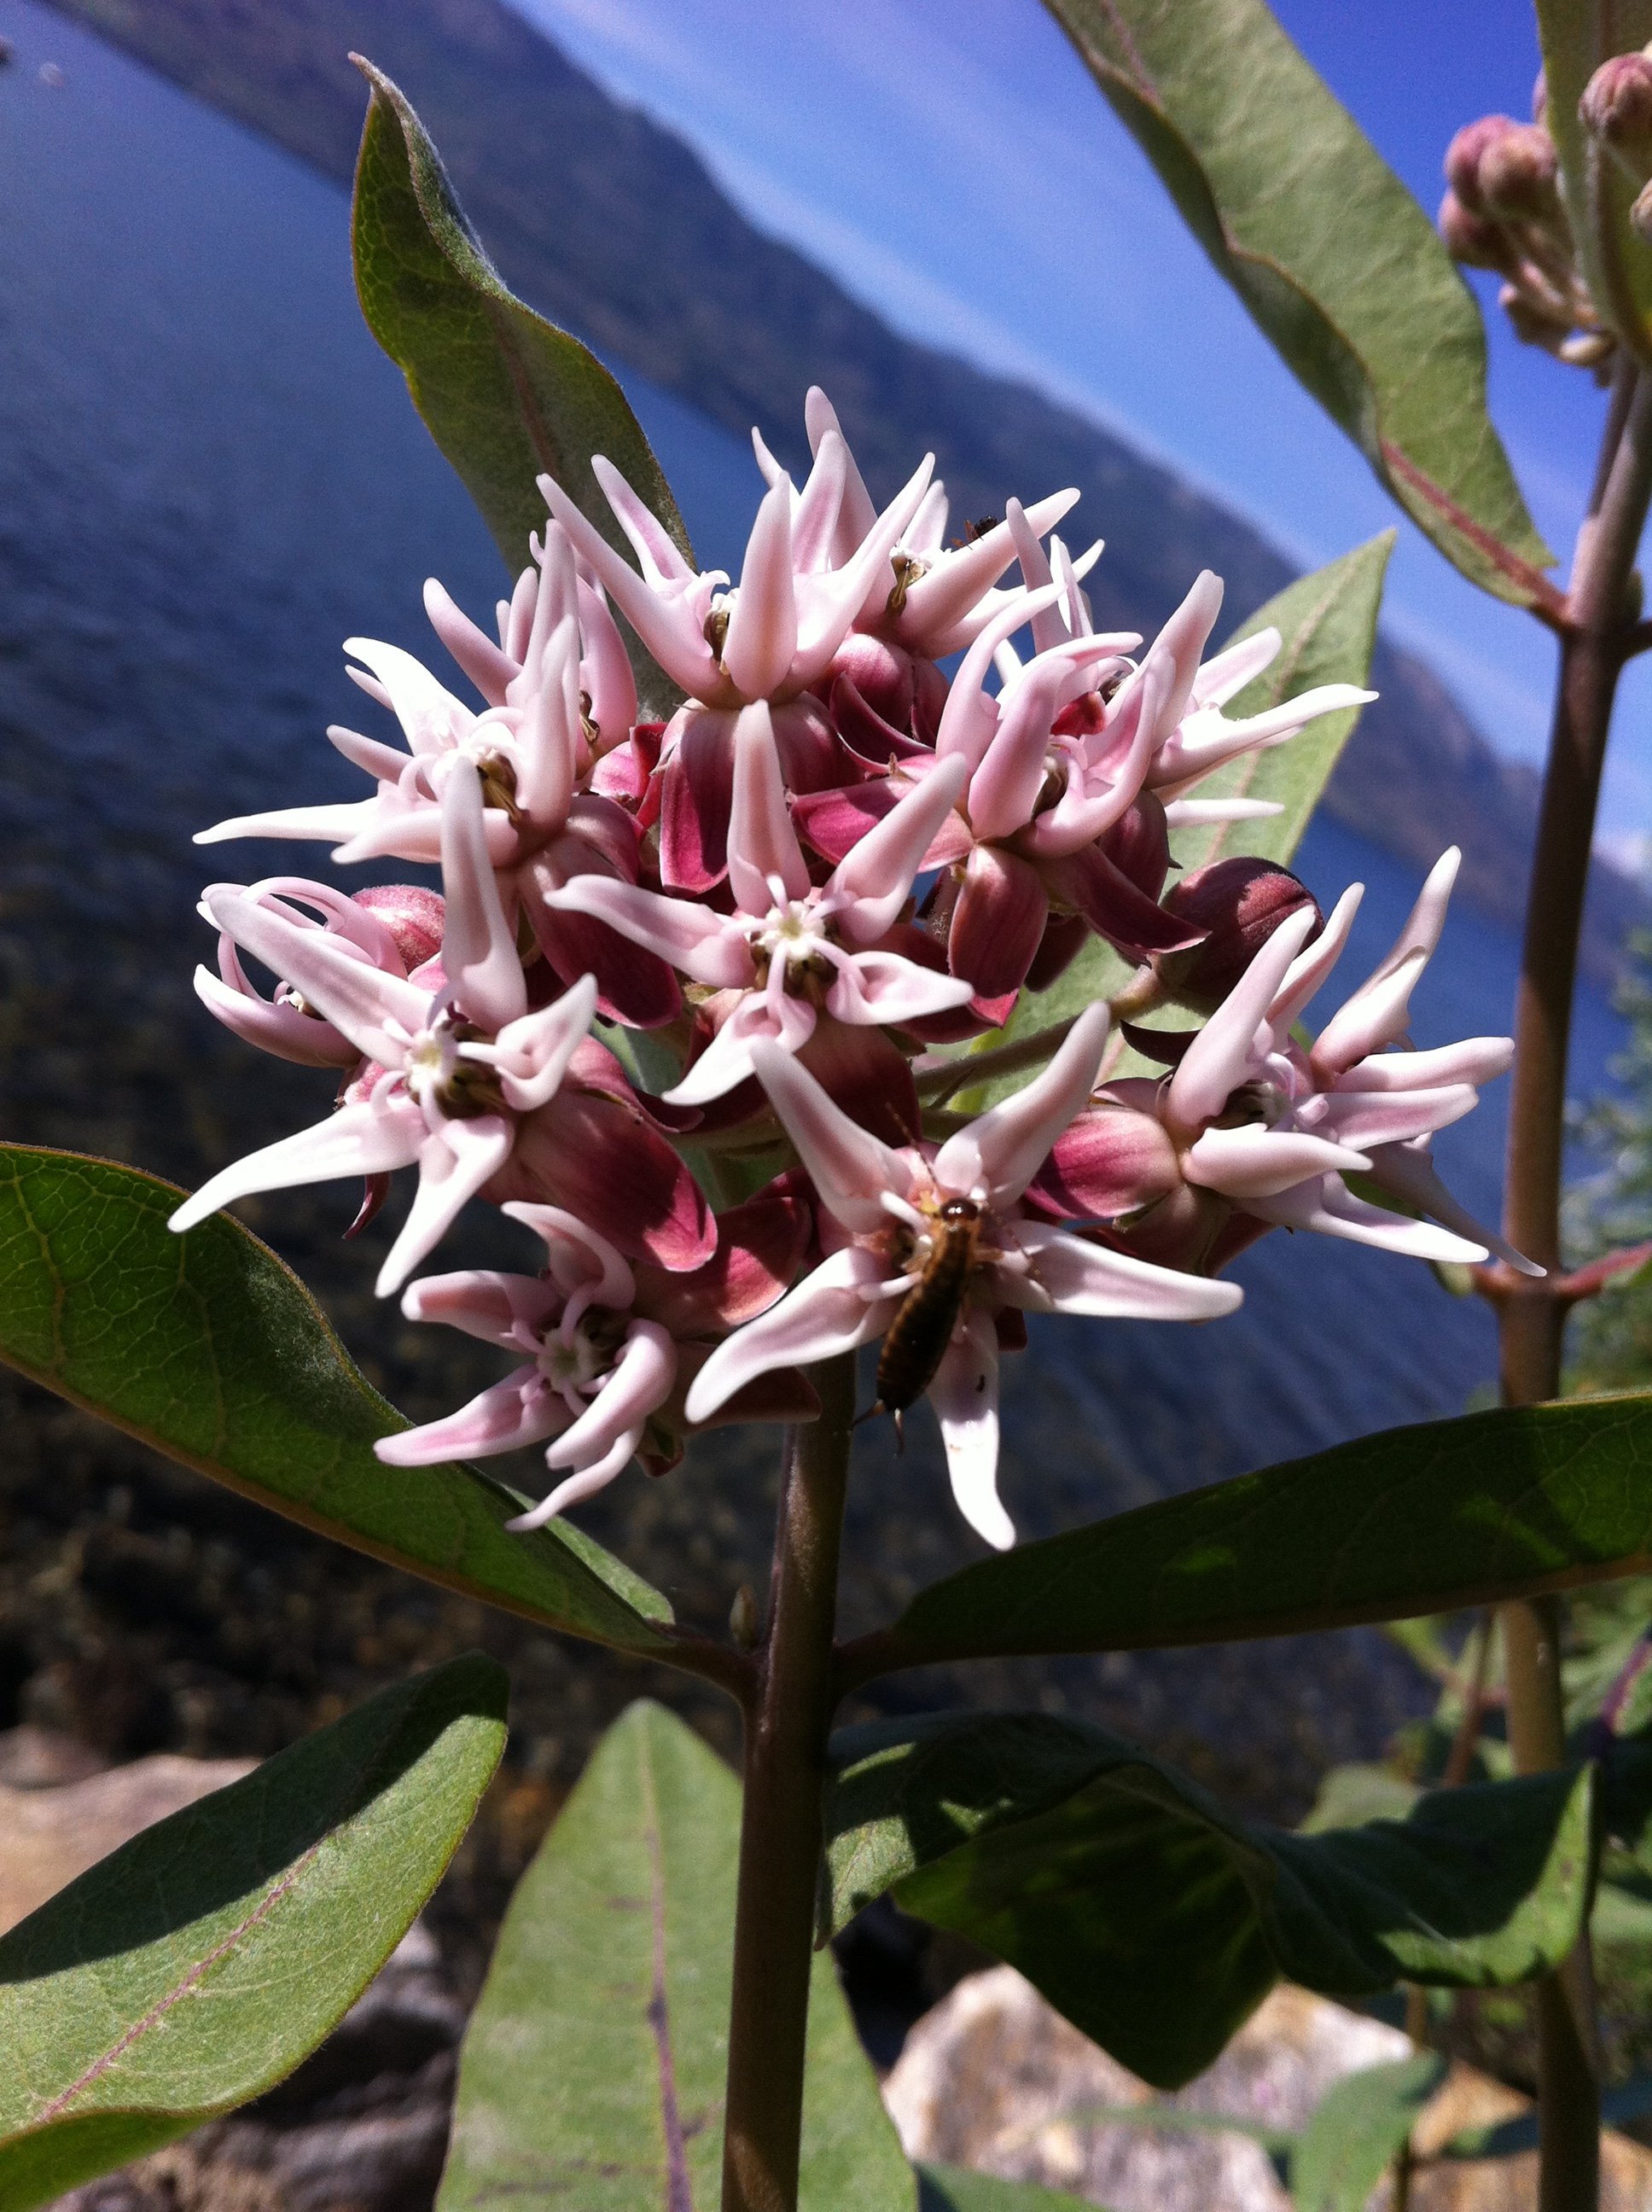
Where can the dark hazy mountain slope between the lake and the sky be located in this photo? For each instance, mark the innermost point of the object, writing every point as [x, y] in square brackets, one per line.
[616, 229]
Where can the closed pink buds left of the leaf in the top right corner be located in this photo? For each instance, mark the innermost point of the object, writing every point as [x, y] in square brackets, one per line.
[1505, 213]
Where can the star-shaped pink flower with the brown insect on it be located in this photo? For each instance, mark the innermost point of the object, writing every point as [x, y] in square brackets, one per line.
[886, 1204]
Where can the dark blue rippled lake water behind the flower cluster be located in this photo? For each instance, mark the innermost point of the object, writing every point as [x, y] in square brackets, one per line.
[209, 477]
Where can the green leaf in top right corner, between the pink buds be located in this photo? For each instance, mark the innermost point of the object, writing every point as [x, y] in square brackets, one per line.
[1618, 264]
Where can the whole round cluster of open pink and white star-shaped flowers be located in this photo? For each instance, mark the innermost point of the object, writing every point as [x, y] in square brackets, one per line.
[824, 870]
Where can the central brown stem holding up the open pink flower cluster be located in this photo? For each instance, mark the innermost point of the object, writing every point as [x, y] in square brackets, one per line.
[786, 1735]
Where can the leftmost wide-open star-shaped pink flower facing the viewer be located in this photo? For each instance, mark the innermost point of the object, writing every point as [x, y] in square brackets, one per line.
[452, 1076]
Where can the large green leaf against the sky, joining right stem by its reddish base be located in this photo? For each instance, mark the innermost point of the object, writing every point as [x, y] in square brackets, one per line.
[1332, 255]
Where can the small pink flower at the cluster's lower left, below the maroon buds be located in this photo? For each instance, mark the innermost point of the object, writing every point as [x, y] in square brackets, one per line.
[609, 1348]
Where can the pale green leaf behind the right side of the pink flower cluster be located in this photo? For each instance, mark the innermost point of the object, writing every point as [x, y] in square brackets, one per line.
[1328, 627]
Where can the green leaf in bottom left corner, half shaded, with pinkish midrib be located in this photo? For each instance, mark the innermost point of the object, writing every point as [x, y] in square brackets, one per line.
[196, 1968]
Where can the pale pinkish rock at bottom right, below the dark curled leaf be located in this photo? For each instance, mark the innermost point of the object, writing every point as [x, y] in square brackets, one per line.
[996, 2080]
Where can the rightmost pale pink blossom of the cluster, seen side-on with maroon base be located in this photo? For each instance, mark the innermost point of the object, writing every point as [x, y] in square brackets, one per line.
[1251, 1123]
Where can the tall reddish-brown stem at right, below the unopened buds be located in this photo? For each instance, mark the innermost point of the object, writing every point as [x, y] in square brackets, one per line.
[1600, 618]
